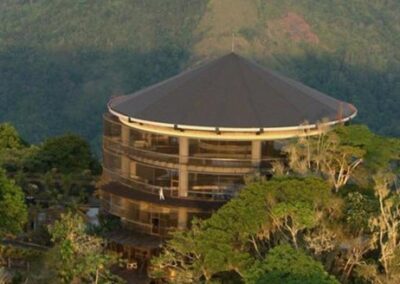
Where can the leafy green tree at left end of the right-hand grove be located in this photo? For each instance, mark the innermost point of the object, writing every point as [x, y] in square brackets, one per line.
[223, 243]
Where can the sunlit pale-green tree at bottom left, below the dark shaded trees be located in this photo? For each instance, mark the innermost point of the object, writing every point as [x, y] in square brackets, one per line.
[76, 255]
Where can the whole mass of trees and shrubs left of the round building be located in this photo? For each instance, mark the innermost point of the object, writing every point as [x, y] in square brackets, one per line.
[44, 233]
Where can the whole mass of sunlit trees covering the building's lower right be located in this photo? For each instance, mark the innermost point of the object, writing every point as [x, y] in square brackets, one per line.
[331, 214]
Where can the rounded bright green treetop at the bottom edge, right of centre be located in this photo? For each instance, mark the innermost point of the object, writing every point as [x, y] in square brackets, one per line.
[284, 264]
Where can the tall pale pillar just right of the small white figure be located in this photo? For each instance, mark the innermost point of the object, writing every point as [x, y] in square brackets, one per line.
[183, 169]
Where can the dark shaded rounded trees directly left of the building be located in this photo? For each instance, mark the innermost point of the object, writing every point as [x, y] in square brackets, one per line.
[60, 171]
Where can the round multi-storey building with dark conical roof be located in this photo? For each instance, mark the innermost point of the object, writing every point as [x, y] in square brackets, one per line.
[182, 148]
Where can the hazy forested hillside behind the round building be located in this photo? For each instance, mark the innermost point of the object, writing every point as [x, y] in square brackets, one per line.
[60, 61]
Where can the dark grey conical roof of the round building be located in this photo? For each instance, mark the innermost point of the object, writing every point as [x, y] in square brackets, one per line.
[233, 92]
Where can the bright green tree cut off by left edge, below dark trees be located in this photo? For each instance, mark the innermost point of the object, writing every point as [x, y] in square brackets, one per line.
[13, 211]
